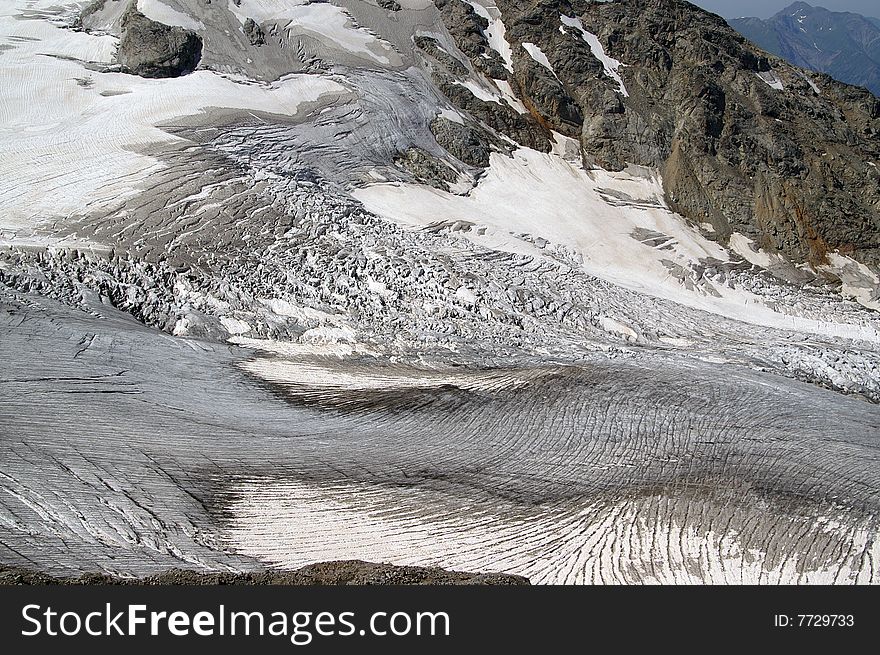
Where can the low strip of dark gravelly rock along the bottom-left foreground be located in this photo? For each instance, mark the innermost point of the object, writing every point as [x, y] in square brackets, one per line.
[352, 572]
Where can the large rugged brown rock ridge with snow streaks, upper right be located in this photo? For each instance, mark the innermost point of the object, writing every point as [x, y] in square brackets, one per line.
[790, 168]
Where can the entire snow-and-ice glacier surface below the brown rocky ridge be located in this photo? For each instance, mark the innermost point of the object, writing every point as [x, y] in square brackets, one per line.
[236, 332]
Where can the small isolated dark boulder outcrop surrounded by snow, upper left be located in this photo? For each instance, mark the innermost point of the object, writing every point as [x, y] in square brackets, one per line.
[152, 49]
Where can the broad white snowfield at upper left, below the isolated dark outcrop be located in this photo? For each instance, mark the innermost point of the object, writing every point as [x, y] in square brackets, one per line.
[69, 137]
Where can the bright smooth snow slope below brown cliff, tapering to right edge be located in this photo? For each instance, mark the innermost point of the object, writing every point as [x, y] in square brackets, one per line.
[545, 196]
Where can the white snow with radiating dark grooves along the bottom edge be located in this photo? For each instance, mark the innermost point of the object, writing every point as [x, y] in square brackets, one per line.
[294, 523]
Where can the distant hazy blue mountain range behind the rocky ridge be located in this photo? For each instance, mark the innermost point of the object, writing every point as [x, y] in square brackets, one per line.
[843, 44]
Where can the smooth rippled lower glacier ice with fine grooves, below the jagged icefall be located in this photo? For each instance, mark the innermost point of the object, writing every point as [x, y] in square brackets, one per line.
[649, 469]
